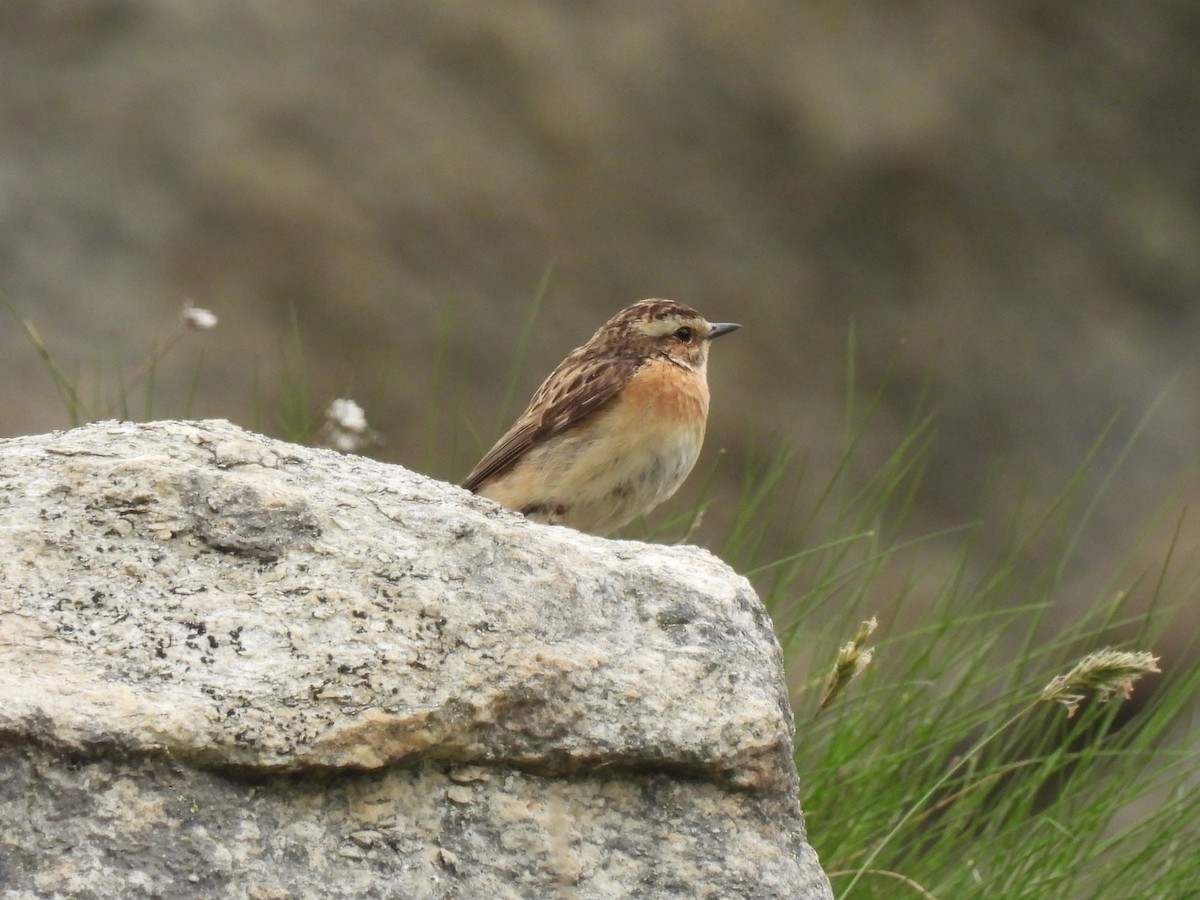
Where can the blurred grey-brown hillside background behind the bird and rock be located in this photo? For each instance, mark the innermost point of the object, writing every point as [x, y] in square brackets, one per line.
[1000, 201]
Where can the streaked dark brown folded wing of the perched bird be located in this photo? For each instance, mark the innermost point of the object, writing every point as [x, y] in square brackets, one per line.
[575, 391]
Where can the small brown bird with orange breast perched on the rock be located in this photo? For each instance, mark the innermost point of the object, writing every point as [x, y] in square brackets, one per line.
[615, 430]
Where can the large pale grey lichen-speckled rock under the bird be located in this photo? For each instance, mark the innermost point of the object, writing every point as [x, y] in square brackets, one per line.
[237, 668]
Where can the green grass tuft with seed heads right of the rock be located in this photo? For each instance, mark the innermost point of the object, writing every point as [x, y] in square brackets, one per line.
[943, 771]
